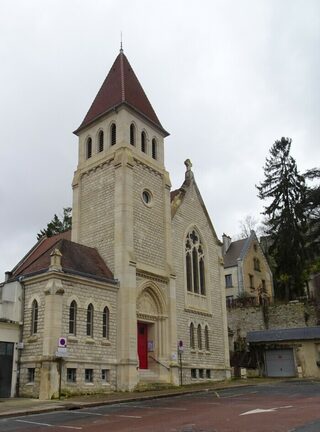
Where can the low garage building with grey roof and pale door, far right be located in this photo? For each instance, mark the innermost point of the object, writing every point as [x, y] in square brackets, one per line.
[287, 352]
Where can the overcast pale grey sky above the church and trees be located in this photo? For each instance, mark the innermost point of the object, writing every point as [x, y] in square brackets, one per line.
[226, 79]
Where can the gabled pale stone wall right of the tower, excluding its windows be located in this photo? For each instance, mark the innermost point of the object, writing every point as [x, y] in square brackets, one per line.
[204, 310]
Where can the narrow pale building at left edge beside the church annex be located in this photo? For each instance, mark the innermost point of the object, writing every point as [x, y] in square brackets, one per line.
[10, 328]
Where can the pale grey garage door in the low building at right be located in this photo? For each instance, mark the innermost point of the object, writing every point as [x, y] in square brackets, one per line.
[280, 363]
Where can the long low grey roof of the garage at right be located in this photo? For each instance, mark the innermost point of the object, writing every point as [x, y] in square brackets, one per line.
[278, 335]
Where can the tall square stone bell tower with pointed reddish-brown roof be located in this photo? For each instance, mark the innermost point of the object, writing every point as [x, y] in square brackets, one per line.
[121, 206]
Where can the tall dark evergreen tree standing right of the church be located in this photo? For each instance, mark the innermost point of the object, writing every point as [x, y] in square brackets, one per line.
[285, 218]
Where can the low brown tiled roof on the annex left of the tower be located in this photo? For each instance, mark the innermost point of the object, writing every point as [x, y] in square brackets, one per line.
[76, 258]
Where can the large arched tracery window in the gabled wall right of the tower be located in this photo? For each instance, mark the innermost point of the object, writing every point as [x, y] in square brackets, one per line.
[195, 264]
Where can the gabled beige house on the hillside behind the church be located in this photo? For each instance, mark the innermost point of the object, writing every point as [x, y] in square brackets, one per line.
[246, 270]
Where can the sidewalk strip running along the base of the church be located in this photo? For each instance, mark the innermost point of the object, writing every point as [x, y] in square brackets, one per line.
[24, 406]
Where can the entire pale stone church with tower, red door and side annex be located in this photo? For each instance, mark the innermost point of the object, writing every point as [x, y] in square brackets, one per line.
[106, 305]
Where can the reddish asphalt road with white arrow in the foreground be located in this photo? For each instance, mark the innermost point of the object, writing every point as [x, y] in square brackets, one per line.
[290, 407]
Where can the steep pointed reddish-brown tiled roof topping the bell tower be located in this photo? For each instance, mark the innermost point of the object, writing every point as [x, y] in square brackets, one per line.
[121, 86]
